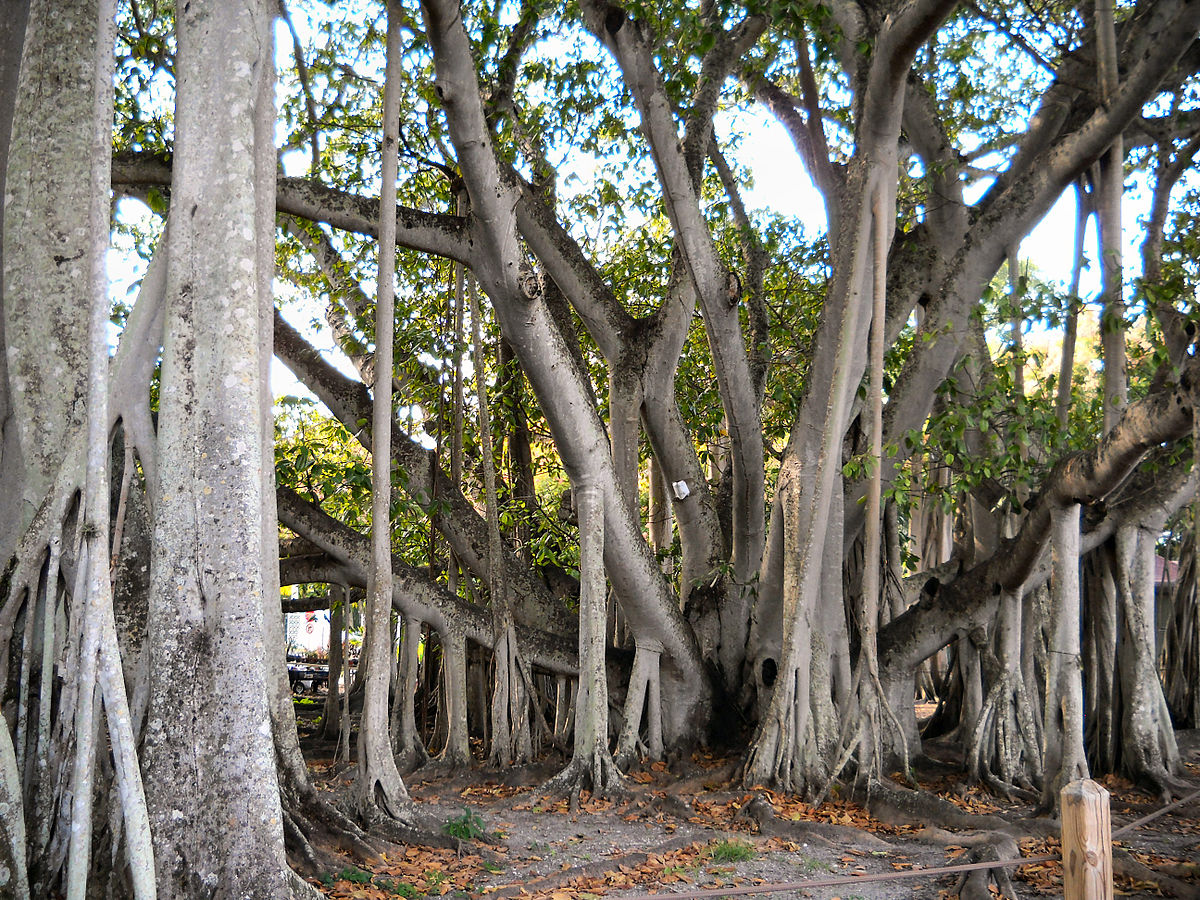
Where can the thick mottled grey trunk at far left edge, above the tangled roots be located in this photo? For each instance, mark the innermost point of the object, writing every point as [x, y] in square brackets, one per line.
[46, 238]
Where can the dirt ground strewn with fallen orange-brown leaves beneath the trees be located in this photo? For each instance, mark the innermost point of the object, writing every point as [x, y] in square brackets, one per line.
[693, 830]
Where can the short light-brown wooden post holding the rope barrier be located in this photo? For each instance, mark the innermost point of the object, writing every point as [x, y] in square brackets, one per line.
[1087, 842]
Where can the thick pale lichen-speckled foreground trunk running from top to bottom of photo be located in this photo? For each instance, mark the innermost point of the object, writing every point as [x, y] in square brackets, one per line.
[207, 631]
